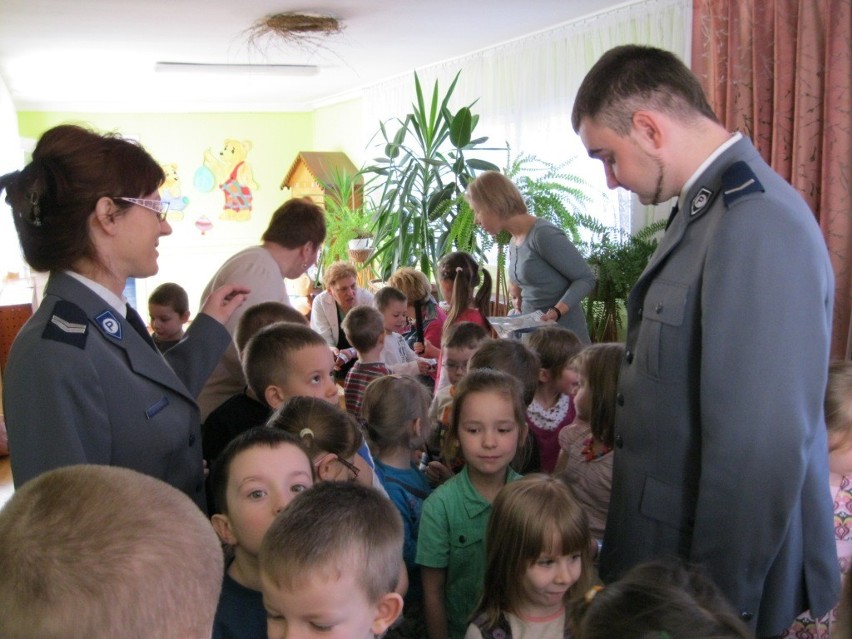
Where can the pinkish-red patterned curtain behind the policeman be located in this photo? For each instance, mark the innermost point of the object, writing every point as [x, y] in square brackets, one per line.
[779, 71]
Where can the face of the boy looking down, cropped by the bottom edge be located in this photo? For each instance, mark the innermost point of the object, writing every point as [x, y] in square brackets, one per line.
[331, 606]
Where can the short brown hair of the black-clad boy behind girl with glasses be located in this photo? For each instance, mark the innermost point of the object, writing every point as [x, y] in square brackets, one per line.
[267, 354]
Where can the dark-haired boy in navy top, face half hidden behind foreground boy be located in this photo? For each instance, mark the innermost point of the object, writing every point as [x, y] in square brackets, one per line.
[254, 478]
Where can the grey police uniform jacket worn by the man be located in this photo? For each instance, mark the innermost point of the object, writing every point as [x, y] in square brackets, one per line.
[720, 440]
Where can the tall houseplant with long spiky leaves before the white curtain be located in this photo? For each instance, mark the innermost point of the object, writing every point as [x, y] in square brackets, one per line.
[419, 180]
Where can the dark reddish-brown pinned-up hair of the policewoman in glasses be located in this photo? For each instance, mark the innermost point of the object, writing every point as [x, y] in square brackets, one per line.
[54, 195]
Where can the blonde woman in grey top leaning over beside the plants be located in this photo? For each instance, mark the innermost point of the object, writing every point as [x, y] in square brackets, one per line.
[549, 269]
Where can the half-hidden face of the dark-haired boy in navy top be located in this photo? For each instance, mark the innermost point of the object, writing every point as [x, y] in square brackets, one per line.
[261, 482]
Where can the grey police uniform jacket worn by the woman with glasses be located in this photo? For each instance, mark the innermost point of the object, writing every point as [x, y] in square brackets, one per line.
[83, 387]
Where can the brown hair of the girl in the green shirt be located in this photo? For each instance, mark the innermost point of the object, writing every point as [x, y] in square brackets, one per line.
[485, 381]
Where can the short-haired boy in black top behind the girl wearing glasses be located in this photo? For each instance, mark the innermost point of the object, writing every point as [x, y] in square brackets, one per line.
[280, 361]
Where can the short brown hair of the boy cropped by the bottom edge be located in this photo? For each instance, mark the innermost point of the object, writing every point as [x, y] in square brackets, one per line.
[334, 527]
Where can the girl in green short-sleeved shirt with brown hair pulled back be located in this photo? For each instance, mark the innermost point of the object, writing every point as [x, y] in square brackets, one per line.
[488, 425]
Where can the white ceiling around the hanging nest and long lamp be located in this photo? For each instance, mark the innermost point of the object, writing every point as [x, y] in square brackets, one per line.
[99, 55]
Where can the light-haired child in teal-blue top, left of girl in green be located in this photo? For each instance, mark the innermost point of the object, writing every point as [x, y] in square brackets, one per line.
[395, 409]
